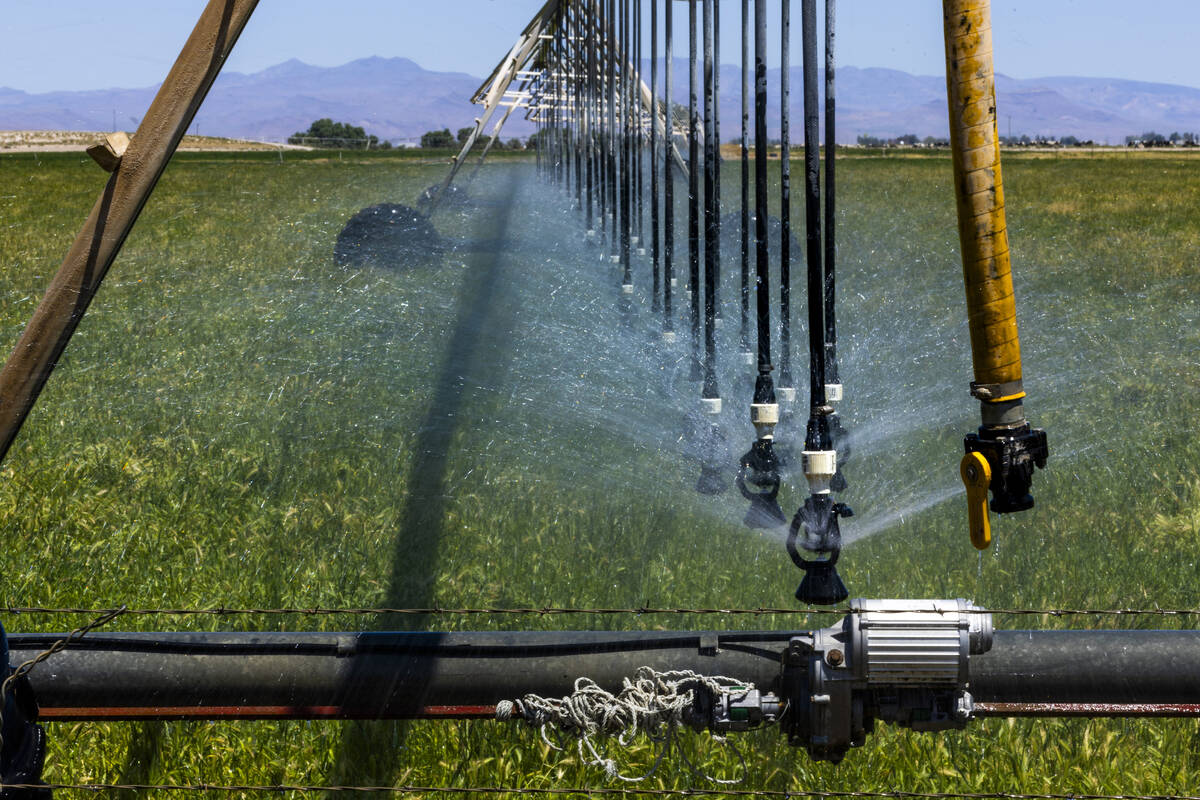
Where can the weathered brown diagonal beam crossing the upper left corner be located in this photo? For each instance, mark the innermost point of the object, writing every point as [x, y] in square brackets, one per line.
[112, 219]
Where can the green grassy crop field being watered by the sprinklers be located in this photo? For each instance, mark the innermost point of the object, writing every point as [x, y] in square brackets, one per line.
[241, 423]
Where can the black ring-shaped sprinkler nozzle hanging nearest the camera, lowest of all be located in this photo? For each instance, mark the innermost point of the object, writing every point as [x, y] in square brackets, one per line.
[819, 551]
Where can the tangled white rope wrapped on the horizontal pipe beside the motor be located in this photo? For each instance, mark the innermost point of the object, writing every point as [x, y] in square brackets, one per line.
[652, 702]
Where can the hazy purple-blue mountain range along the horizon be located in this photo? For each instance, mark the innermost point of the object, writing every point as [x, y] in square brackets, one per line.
[395, 99]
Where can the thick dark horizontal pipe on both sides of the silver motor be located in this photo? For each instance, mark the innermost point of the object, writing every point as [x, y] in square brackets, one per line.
[464, 676]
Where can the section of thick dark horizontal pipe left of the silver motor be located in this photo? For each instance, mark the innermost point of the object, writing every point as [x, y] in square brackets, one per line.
[375, 676]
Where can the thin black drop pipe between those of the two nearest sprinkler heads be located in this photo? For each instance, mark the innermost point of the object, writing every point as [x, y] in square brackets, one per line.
[785, 199]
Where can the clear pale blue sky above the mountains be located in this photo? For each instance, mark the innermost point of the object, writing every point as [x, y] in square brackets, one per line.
[52, 45]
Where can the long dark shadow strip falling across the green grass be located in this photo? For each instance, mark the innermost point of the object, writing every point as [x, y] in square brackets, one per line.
[370, 753]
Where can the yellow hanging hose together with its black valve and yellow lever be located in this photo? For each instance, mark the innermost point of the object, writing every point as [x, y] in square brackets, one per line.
[1005, 452]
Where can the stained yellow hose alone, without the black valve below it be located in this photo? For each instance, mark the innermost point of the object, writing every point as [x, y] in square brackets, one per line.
[983, 233]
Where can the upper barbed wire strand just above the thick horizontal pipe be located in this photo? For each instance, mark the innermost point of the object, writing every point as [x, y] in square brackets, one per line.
[551, 611]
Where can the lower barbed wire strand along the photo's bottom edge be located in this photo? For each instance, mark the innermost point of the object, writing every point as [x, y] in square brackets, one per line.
[587, 792]
